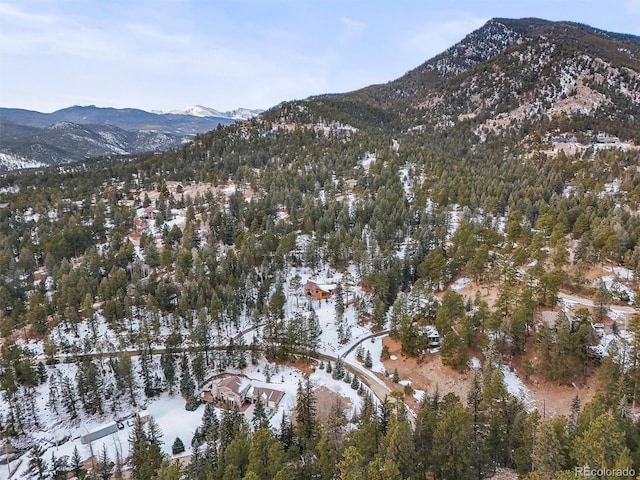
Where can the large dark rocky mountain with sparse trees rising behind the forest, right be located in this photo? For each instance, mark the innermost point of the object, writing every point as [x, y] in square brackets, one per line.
[507, 76]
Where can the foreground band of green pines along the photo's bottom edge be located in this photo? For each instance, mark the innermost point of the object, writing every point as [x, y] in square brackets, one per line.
[449, 438]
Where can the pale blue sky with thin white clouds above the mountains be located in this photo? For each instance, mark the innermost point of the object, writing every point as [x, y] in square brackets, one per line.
[170, 54]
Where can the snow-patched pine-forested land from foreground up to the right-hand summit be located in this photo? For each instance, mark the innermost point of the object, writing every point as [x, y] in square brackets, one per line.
[481, 211]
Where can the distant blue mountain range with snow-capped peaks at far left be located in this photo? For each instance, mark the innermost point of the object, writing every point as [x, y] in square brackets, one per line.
[31, 139]
